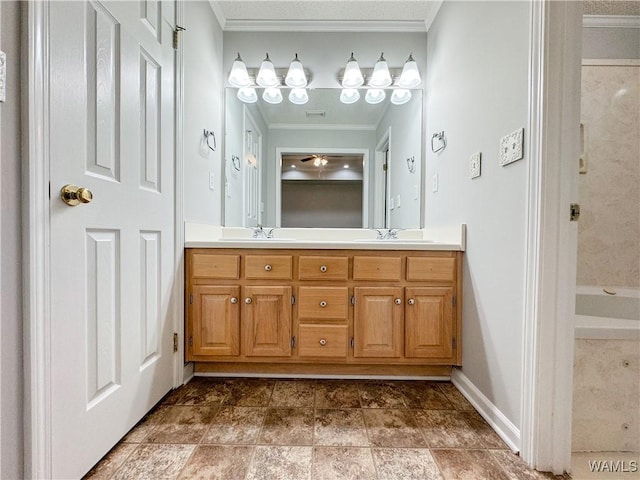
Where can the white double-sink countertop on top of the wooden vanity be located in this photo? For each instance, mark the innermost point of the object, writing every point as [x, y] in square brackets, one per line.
[199, 235]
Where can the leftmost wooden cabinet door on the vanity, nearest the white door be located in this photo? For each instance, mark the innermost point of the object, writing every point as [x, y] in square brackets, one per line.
[216, 320]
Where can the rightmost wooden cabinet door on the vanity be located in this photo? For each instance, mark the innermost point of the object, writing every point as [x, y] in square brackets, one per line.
[429, 322]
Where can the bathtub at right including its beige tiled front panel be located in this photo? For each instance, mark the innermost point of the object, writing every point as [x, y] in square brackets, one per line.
[606, 374]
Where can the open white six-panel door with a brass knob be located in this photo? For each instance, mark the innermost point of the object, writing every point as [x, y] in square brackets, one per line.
[111, 111]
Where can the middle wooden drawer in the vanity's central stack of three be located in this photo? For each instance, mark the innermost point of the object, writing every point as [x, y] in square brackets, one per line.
[323, 303]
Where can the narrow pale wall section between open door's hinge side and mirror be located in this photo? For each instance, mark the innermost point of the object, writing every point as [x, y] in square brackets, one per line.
[203, 109]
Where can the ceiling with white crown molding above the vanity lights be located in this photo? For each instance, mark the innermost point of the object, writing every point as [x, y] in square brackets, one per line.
[401, 15]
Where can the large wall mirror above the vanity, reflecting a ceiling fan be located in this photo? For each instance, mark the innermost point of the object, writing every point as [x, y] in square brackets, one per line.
[323, 164]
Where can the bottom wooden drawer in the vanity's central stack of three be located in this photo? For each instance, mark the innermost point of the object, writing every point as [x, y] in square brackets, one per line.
[323, 341]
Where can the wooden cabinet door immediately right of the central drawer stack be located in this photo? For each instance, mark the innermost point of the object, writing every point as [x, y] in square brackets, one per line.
[378, 316]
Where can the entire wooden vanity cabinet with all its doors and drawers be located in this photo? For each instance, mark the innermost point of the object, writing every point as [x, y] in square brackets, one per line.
[323, 311]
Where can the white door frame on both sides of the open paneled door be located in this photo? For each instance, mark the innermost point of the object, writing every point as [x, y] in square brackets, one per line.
[36, 241]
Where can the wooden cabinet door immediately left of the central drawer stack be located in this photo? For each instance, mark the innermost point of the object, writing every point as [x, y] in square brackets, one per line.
[266, 321]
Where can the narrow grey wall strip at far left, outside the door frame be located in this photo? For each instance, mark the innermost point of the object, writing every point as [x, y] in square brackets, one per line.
[11, 364]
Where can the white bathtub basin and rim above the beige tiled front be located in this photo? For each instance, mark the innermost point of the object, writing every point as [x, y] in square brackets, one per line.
[614, 315]
